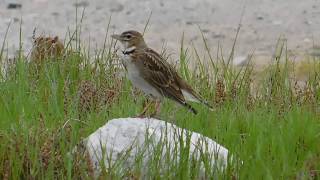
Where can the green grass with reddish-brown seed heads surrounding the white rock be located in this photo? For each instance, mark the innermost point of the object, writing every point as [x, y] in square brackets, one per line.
[269, 121]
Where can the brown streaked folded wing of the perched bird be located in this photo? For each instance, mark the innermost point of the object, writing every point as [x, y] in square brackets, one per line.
[160, 74]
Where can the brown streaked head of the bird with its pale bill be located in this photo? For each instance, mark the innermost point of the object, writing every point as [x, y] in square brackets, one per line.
[130, 39]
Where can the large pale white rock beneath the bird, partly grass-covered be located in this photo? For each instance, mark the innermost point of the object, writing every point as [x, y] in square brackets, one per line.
[129, 138]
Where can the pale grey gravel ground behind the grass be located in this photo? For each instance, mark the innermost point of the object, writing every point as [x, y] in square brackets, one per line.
[264, 21]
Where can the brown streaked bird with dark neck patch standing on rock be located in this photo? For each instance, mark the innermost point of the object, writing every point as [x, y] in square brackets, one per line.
[150, 72]
